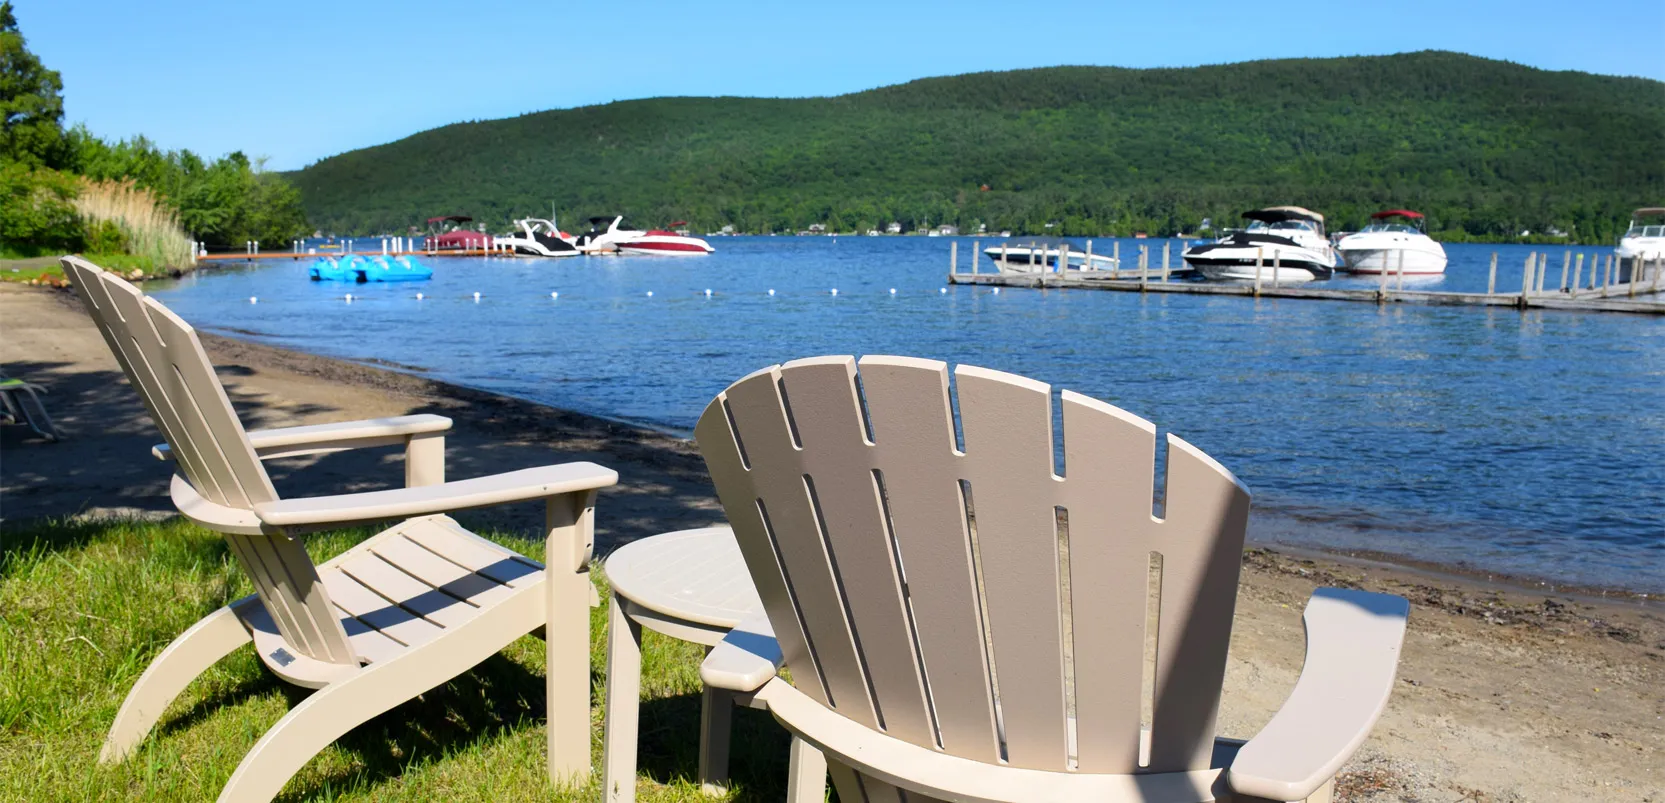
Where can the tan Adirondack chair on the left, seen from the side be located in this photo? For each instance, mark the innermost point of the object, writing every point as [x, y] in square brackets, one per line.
[390, 619]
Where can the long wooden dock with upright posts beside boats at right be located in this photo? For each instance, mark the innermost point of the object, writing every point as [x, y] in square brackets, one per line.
[1644, 296]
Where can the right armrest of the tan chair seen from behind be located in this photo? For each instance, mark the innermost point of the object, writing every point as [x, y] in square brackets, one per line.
[1353, 654]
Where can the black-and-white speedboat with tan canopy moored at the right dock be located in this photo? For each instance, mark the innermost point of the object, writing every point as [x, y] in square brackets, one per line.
[1286, 242]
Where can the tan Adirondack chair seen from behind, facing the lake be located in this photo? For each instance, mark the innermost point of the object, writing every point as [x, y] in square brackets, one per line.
[967, 624]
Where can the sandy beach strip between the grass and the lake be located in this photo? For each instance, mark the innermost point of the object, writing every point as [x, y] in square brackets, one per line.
[1503, 694]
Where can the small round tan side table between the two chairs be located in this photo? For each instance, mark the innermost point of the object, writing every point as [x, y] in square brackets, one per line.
[690, 586]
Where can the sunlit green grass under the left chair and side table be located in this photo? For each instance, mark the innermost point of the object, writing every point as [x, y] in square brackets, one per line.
[84, 607]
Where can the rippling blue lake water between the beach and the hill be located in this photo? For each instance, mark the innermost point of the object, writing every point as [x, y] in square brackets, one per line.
[1528, 444]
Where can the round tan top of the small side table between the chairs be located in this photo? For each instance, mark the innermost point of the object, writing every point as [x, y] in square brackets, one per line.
[695, 576]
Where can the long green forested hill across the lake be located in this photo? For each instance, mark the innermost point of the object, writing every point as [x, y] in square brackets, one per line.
[1488, 149]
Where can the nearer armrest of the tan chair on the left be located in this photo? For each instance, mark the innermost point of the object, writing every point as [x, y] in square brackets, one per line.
[529, 484]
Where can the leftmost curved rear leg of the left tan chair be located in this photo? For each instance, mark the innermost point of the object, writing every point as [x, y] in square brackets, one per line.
[176, 667]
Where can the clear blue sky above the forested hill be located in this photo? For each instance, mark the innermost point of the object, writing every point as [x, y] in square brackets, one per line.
[301, 81]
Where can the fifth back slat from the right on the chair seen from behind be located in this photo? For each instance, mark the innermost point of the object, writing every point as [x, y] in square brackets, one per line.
[847, 494]
